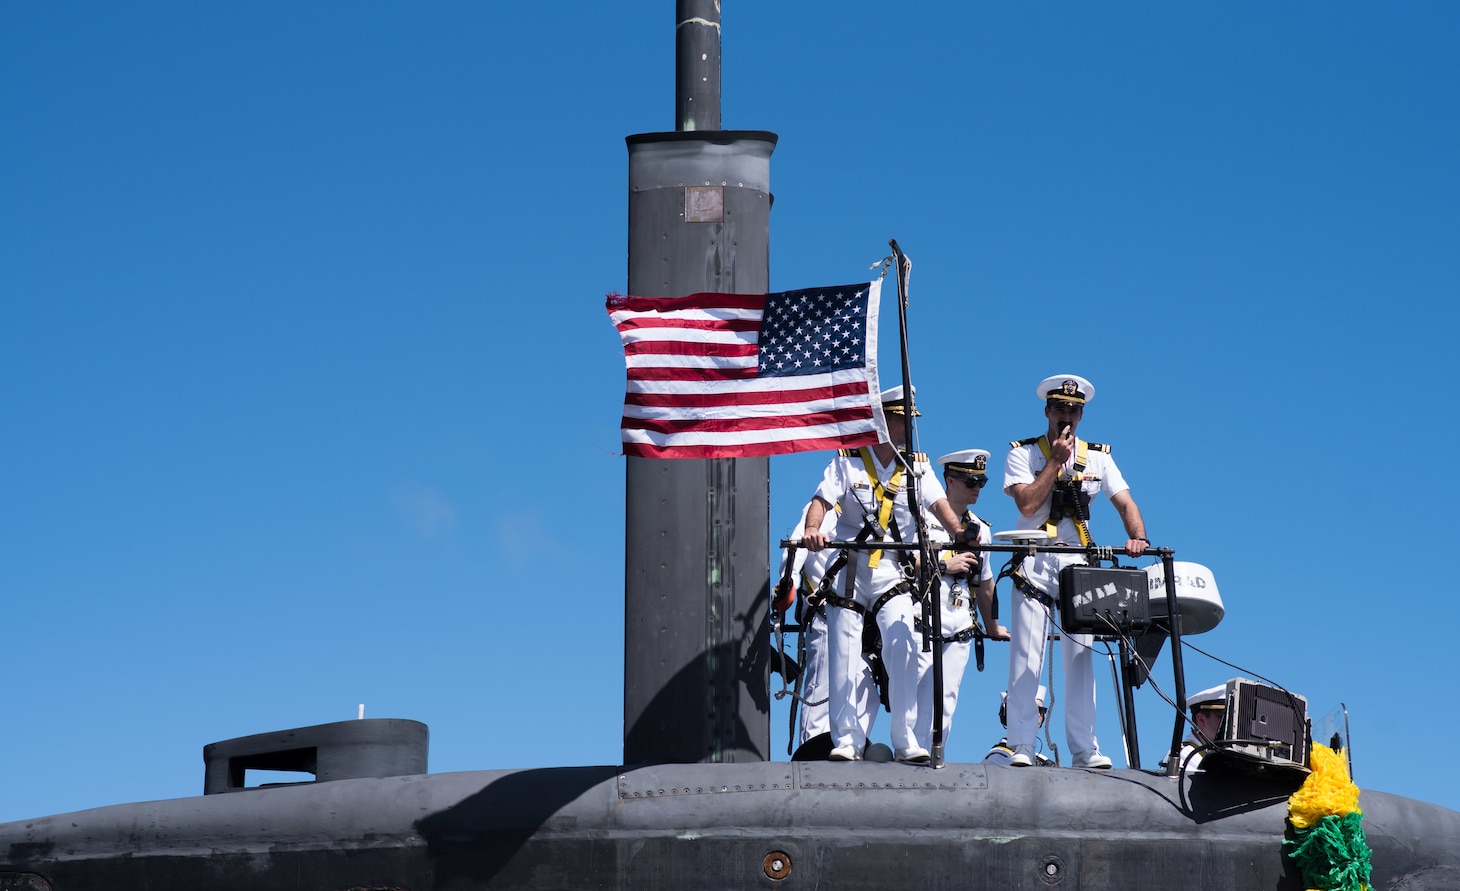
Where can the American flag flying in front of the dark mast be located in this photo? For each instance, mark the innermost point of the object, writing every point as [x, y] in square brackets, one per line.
[739, 376]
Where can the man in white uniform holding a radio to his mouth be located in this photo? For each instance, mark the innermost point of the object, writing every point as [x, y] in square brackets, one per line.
[1053, 478]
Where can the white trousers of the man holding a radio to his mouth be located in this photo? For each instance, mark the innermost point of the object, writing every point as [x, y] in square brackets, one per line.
[1027, 633]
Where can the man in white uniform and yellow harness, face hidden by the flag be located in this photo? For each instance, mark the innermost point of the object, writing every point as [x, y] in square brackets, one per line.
[869, 486]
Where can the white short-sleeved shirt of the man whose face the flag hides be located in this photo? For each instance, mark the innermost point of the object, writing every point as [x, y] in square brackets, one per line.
[846, 486]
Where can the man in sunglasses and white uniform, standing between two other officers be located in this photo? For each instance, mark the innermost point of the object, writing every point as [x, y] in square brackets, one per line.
[966, 581]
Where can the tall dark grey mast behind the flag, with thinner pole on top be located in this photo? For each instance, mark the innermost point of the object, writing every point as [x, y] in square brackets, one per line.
[697, 534]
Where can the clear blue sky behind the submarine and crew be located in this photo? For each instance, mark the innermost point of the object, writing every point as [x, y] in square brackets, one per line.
[309, 398]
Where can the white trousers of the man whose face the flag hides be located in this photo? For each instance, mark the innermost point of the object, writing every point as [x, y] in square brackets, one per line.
[853, 693]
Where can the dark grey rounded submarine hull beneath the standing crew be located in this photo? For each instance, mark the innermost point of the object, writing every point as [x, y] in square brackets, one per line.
[716, 826]
